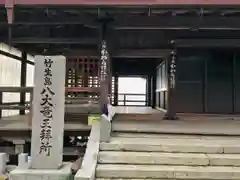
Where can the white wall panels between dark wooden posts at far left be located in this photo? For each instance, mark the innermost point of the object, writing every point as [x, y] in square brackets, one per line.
[10, 74]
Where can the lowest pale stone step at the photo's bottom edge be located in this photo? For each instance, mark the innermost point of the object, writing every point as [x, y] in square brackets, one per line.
[107, 171]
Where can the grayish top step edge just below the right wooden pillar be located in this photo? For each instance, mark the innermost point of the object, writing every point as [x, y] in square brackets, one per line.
[211, 127]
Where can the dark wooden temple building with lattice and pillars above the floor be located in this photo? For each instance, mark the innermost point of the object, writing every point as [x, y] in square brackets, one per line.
[187, 50]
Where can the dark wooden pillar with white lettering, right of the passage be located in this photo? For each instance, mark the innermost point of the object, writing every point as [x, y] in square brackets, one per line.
[171, 67]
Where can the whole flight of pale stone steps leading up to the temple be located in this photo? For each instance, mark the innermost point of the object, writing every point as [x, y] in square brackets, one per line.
[155, 156]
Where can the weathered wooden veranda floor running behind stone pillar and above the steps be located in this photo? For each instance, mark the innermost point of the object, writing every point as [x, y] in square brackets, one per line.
[152, 121]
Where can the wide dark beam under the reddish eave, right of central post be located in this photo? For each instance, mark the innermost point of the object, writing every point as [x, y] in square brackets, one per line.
[176, 22]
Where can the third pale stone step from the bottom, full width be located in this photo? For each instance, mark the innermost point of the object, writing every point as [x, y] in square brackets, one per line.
[215, 146]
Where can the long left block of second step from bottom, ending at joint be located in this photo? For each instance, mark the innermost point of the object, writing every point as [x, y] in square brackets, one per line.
[153, 158]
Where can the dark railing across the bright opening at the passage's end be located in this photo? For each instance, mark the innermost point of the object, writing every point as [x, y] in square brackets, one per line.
[125, 99]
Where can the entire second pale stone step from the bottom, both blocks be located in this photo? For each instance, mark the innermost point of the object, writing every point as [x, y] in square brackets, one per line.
[156, 158]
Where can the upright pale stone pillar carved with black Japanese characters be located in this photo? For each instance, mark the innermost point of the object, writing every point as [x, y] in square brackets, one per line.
[54, 160]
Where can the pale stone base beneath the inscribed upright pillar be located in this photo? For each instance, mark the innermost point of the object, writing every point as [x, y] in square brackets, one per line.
[64, 173]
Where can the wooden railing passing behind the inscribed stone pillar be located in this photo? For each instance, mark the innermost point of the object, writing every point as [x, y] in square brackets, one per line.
[27, 104]
